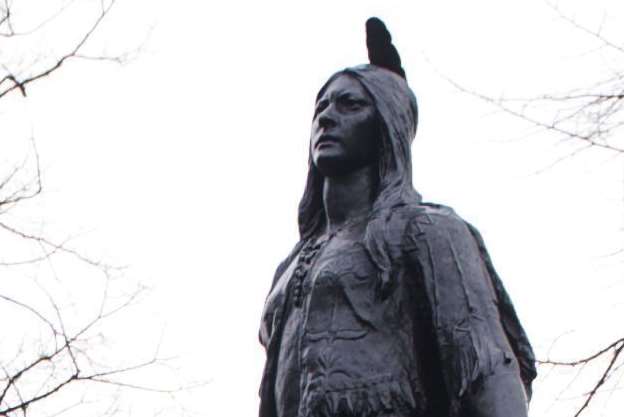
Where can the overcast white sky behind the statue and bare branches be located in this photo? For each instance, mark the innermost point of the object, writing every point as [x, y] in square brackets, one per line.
[188, 163]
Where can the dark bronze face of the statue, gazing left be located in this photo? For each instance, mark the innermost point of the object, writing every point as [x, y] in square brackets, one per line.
[345, 128]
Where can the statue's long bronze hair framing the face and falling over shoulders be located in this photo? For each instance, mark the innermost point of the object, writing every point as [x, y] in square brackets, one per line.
[398, 116]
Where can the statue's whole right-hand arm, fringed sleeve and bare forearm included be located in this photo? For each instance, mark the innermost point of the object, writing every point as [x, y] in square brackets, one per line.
[479, 367]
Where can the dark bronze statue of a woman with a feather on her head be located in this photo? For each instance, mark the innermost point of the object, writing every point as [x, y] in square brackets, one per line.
[387, 306]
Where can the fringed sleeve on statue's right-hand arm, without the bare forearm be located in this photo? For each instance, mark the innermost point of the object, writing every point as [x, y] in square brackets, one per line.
[467, 321]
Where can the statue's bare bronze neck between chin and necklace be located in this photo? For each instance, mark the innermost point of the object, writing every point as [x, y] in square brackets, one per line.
[349, 196]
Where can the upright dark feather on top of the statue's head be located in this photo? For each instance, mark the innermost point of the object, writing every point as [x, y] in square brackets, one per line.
[381, 51]
